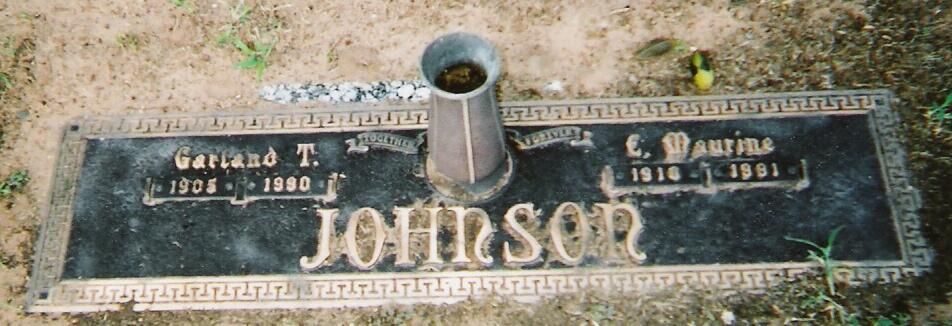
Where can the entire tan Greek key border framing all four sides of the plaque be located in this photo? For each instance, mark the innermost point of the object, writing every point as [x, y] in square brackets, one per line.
[48, 294]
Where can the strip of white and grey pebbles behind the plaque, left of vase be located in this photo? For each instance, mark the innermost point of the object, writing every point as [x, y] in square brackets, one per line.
[348, 92]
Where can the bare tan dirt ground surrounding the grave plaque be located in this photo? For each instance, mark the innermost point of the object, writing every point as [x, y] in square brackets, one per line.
[68, 59]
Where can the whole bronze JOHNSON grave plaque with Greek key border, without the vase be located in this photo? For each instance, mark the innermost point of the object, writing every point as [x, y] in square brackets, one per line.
[332, 207]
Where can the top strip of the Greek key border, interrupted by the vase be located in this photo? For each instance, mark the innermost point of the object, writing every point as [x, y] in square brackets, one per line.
[370, 117]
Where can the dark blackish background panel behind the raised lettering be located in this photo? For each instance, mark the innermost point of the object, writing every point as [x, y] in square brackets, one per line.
[115, 235]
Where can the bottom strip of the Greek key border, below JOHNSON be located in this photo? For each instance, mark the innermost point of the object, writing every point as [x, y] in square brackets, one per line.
[312, 291]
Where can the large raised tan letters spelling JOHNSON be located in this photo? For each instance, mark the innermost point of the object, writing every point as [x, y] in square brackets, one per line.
[570, 236]
